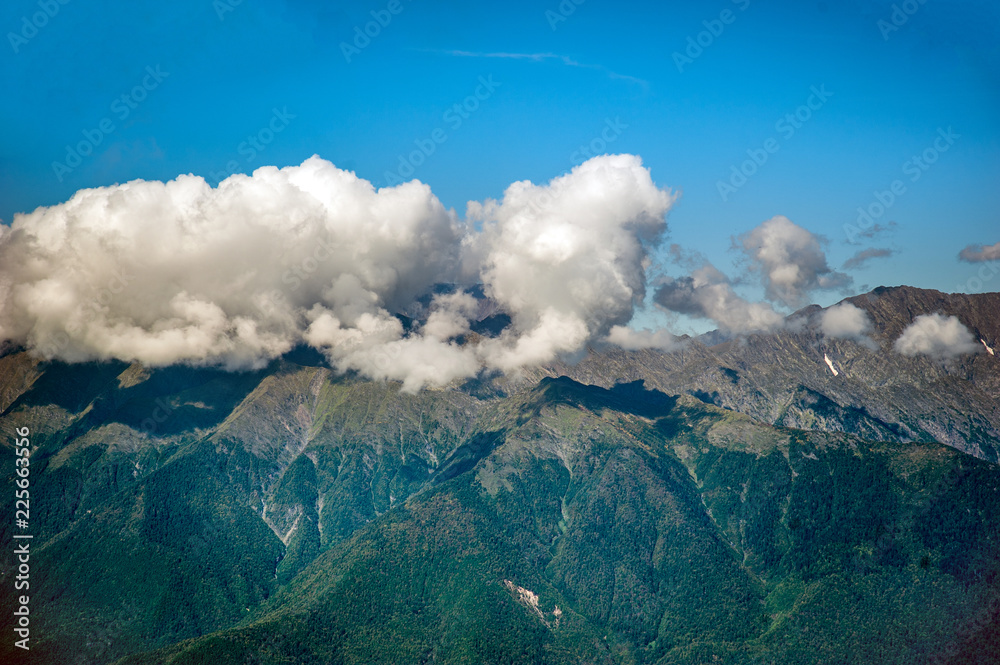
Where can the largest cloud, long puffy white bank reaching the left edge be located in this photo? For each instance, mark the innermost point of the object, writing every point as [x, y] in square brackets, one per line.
[180, 272]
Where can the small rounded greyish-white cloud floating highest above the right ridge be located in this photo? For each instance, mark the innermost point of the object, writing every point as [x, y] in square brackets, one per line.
[790, 260]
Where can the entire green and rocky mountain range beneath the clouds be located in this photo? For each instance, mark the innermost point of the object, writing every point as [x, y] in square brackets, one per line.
[732, 504]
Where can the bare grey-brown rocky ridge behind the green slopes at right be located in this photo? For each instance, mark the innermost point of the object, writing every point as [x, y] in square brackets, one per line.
[782, 378]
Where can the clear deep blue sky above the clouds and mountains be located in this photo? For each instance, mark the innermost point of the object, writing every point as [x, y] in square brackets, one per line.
[277, 71]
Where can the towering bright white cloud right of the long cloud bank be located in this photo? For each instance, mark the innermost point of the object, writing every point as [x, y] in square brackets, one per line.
[567, 260]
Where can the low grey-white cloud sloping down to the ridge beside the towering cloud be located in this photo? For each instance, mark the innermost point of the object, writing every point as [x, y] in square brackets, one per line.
[708, 293]
